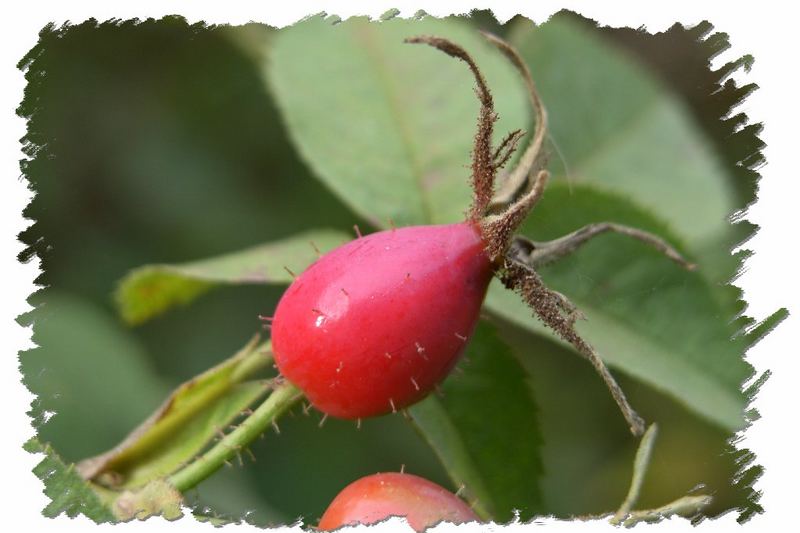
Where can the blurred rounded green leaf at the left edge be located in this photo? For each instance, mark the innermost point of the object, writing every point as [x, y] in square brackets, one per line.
[85, 359]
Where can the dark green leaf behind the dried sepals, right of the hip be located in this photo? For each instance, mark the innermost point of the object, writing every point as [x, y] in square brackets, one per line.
[645, 315]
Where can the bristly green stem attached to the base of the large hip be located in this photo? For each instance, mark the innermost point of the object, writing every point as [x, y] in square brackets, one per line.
[281, 399]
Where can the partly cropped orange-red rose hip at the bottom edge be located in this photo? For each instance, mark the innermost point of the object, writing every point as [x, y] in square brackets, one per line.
[374, 498]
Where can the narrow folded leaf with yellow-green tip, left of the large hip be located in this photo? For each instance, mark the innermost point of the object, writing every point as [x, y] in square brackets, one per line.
[150, 290]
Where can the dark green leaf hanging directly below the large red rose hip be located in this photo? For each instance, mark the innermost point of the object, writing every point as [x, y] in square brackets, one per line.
[484, 430]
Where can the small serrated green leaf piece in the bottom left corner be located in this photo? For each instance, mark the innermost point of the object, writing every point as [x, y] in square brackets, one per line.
[68, 492]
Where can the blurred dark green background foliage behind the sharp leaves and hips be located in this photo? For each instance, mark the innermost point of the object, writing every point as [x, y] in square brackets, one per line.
[158, 141]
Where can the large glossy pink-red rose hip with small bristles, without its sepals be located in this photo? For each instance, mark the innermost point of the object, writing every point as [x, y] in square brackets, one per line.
[373, 325]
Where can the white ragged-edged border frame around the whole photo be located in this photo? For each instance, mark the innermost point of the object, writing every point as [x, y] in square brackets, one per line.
[764, 30]
